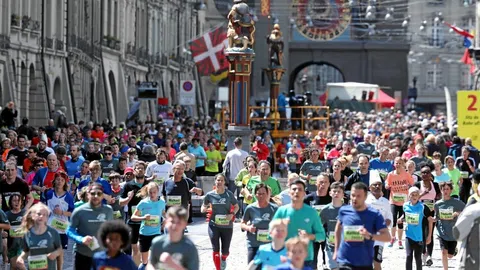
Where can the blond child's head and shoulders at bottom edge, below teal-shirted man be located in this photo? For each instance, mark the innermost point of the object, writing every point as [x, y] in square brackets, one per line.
[297, 252]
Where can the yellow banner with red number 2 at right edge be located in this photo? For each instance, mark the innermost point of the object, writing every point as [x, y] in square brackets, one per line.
[468, 115]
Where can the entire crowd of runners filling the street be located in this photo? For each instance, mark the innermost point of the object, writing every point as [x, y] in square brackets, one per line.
[123, 195]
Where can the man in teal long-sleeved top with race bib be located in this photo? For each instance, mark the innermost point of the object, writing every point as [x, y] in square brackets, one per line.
[304, 220]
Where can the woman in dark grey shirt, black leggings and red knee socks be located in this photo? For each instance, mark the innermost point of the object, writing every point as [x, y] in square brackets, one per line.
[223, 206]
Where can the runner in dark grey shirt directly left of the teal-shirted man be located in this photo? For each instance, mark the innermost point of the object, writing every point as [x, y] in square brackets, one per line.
[256, 218]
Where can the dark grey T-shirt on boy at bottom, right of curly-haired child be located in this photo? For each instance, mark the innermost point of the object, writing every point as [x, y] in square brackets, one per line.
[183, 252]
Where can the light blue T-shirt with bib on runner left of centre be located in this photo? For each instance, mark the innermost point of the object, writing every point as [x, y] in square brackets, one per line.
[155, 209]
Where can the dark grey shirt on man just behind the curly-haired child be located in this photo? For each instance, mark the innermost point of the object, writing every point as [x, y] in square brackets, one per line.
[84, 221]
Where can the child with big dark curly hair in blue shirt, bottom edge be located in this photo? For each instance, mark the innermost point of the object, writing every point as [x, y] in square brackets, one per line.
[114, 236]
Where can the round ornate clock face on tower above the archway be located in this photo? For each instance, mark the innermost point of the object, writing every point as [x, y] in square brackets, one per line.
[329, 18]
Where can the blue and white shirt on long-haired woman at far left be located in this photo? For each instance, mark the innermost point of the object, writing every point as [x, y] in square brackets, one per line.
[65, 203]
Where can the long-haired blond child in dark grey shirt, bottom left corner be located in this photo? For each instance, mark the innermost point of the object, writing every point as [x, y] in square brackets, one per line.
[41, 243]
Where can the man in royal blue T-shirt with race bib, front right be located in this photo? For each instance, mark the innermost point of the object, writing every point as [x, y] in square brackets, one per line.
[357, 228]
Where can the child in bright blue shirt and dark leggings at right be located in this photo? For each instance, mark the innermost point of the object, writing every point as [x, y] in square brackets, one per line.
[414, 217]
